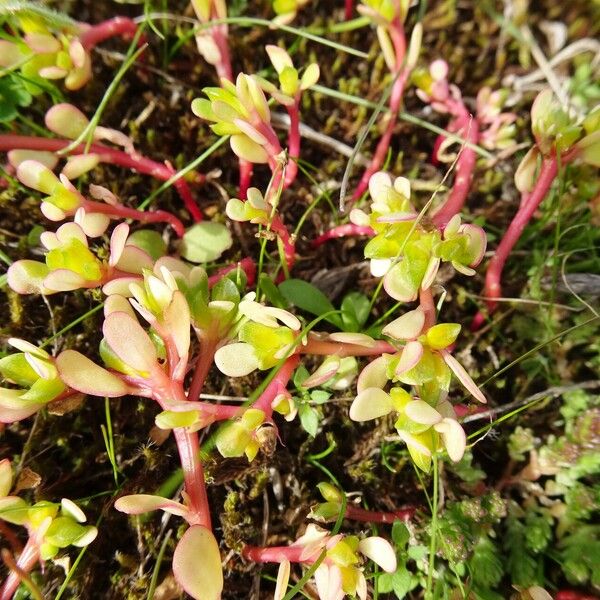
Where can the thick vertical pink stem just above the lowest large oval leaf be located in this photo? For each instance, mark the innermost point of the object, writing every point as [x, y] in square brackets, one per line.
[193, 474]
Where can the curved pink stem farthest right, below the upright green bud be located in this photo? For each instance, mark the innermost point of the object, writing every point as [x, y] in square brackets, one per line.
[493, 288]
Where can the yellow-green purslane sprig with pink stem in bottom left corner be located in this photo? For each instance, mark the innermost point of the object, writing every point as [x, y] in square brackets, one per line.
[51, 527]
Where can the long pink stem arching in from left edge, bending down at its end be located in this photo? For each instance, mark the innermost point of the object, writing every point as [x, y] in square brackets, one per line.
[112, 156]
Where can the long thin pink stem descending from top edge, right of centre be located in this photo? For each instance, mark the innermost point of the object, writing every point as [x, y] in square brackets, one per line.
[397, 34]
